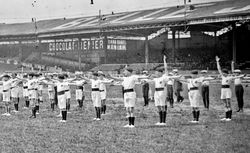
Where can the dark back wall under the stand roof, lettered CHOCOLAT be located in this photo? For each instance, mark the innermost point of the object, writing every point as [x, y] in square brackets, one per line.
[107, 50]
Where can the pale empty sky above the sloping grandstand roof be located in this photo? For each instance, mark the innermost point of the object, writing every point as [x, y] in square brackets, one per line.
[13, 11]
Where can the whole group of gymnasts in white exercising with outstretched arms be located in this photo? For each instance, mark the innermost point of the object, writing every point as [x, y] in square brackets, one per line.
[59, 91]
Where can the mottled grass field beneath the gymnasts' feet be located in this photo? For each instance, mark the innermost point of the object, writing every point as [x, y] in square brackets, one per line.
[19, 134]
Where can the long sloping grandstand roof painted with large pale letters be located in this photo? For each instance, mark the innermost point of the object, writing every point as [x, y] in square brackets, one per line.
[212, 12]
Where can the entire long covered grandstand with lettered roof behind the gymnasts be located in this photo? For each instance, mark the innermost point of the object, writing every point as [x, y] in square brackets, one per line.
[191, 35]
